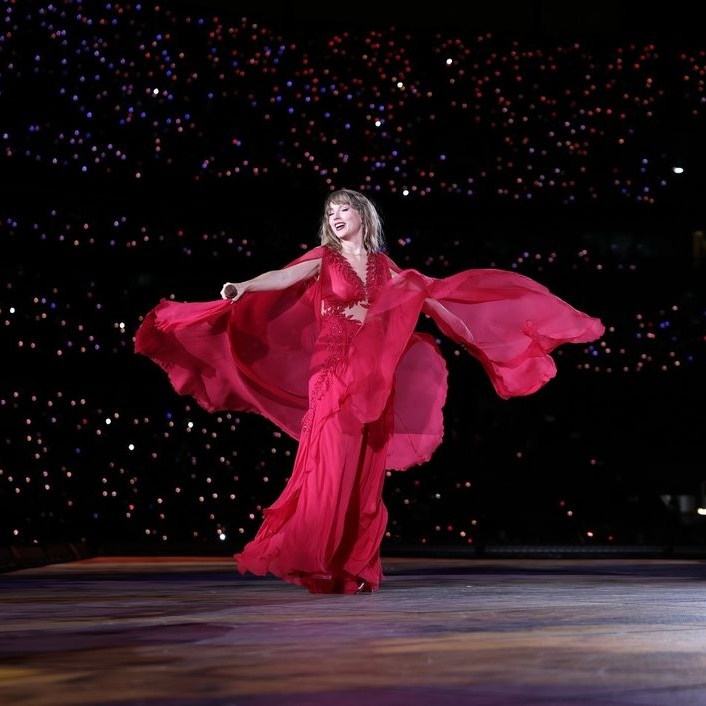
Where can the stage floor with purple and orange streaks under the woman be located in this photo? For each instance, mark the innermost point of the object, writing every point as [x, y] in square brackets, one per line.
[190, 631]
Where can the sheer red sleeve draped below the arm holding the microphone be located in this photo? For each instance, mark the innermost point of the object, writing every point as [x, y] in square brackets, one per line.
[252, 355]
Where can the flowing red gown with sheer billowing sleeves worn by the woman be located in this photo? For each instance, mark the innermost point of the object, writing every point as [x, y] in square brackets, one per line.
[337, 364]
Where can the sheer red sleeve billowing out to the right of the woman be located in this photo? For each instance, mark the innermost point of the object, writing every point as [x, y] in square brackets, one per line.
[507, 321]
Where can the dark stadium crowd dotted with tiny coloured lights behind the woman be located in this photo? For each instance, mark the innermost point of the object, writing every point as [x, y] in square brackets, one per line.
[155, 150]
